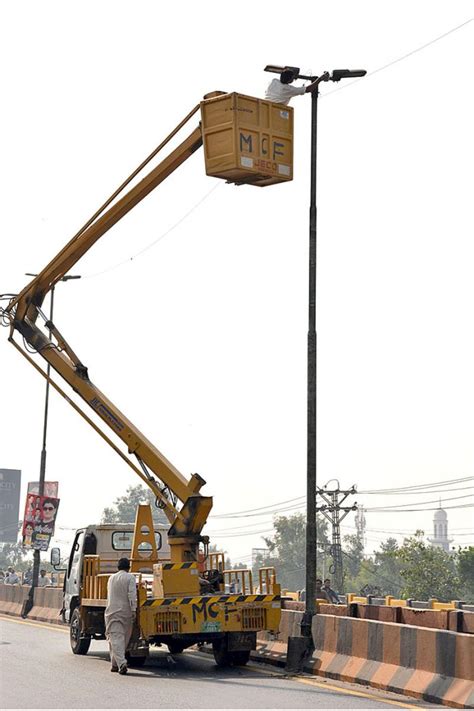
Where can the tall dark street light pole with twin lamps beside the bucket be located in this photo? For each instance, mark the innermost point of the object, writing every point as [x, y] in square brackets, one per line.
[303, 646]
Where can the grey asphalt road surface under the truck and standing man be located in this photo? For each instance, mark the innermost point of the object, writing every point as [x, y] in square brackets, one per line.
[38, 670]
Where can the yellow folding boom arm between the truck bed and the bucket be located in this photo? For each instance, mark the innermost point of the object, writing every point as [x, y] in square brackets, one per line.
[167, 483]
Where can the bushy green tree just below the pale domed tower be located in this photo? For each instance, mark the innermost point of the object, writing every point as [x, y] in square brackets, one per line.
[427, 572]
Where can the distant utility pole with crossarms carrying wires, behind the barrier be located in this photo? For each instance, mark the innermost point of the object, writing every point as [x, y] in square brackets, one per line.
[331, 510]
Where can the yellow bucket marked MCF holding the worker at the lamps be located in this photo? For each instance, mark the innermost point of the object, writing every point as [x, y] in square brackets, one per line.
[247, 140]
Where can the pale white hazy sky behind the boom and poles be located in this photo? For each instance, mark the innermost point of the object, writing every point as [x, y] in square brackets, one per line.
[191, 314]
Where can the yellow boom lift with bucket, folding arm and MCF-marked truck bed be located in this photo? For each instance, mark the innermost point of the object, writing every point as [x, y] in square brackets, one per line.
[246, 140]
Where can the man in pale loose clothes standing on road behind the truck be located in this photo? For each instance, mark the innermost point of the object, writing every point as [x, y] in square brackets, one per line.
[120, 614]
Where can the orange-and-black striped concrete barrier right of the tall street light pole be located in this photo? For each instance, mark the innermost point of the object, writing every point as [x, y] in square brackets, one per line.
[435, 665]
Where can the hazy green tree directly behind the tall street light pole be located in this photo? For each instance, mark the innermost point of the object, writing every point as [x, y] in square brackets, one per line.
[287, 549]
